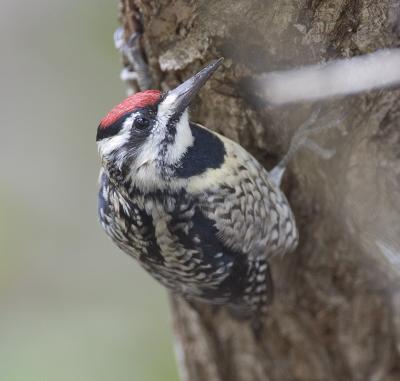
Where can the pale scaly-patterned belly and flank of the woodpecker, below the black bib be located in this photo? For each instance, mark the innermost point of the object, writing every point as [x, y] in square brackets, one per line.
[250, 212]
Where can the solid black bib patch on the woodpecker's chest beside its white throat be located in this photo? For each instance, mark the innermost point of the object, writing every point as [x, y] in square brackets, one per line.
[207, 151]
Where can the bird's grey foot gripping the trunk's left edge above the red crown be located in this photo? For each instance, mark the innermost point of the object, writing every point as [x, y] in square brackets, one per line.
[137, 69]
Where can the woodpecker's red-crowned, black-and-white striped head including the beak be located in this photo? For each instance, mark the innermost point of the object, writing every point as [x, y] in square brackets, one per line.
[145, 136]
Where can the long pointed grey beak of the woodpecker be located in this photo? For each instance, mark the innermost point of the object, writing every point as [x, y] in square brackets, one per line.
[180, 97]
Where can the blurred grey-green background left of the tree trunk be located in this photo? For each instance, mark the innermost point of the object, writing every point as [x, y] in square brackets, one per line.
[72, 307]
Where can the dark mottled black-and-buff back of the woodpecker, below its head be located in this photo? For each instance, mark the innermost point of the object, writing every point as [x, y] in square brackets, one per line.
[169, 236]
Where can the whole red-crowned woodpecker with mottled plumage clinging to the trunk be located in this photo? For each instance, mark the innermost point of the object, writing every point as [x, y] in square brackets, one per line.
[197, 210]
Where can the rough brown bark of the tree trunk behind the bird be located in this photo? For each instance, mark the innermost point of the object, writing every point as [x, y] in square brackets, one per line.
[336, 314]
